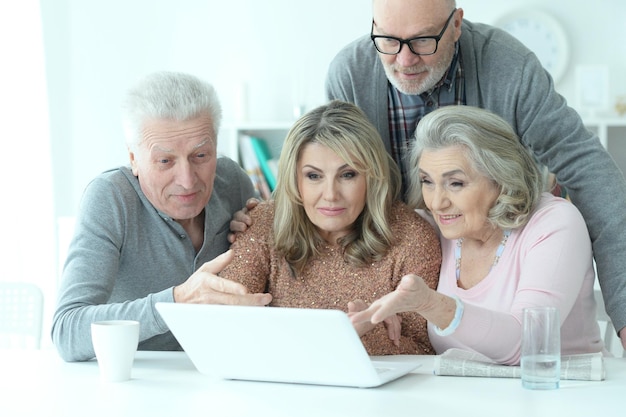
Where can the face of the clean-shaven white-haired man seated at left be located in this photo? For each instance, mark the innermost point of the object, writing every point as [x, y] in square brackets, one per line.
[175, 164]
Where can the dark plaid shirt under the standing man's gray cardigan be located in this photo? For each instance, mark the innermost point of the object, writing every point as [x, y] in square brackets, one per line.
[405, 111]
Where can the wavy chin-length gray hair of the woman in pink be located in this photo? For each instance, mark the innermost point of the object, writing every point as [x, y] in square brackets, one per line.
[493, 149]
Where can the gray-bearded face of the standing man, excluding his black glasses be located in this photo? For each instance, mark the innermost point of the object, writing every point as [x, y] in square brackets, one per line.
[408, 72]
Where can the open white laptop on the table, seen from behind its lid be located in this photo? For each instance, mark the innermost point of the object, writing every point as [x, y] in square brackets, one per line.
[292, 345]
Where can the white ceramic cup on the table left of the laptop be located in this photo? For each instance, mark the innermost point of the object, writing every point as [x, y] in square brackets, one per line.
[115, 343]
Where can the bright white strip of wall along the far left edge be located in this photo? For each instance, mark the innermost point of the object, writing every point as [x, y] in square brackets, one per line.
[27, 241]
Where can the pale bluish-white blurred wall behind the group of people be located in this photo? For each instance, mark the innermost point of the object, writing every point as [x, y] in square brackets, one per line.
[279, 49]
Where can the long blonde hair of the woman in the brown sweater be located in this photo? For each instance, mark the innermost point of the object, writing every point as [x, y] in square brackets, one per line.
[345, 129]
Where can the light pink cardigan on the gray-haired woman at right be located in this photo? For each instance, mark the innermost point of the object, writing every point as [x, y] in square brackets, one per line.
[547, 262]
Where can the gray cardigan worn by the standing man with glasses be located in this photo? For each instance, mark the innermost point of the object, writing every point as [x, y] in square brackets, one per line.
[503, 76]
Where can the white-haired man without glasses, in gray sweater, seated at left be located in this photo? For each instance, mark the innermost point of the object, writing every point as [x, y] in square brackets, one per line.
[145, 233]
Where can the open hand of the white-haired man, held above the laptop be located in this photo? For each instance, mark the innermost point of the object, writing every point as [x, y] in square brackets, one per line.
[205, 287]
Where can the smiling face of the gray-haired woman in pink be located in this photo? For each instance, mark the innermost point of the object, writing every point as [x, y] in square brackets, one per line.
[458, 196]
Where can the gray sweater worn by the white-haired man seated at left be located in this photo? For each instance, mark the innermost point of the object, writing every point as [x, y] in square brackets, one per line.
[126, 256]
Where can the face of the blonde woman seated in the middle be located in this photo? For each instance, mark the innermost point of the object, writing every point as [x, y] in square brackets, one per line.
[332, 192]
